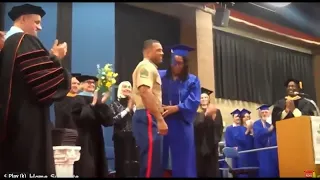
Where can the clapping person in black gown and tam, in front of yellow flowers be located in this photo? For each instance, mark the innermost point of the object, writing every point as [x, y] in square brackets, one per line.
[89, 112]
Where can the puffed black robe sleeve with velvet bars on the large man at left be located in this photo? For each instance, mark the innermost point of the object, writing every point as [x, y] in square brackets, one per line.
[42, 74]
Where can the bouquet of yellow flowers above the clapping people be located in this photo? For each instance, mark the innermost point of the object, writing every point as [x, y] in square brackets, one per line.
[106, 78]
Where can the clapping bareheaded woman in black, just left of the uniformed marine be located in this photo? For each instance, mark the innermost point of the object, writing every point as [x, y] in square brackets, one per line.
[125, 150]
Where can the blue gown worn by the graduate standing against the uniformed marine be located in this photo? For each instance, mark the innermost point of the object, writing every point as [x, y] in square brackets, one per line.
[180, 138]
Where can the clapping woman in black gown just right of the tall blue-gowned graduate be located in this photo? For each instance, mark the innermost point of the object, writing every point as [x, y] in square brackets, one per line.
[208, 132]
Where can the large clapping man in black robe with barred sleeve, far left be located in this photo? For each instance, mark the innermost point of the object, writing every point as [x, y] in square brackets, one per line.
[31, 80]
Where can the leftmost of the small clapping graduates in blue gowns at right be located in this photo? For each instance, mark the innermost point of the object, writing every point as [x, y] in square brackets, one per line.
[232, 132]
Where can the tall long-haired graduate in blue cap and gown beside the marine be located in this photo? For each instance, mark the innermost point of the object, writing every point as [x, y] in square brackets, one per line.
[181, 98]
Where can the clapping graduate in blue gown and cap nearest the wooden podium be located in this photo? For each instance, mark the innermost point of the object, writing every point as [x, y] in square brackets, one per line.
[265, 136]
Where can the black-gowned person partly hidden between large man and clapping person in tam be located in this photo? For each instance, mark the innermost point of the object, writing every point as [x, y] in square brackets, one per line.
[62, 108]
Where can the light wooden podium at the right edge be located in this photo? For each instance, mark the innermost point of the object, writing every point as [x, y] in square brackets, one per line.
[295, 147]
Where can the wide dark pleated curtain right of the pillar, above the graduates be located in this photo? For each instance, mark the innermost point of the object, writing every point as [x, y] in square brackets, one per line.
[254, 71]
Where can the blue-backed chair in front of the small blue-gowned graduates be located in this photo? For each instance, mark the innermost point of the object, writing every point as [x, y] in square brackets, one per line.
[230, 152]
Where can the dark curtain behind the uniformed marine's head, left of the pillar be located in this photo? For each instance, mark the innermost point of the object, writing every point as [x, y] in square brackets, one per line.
[134, 26]
